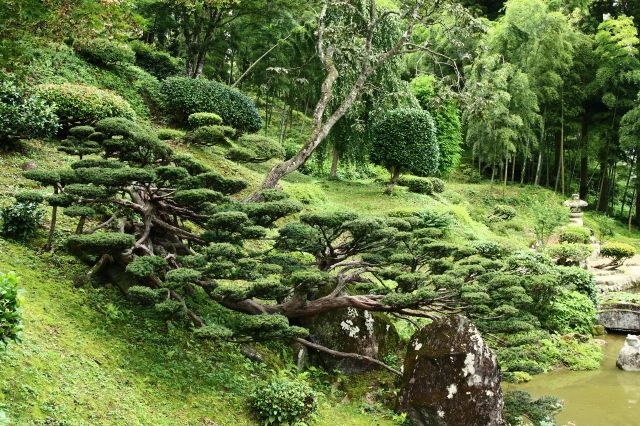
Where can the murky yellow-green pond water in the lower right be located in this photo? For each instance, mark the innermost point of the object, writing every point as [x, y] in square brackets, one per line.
[607, 396]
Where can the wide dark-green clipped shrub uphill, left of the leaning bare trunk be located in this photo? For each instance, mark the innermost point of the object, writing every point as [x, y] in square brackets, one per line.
[184, 96]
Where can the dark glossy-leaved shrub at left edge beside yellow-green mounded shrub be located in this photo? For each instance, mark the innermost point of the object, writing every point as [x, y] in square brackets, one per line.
[23, 115]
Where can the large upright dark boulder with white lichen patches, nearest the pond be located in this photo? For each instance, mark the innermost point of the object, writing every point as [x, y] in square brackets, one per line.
[451, 377]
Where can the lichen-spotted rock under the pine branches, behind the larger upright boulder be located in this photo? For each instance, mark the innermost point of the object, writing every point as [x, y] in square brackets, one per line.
[352, 330]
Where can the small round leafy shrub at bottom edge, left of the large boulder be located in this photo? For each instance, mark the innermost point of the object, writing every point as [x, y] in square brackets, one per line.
[284, 402]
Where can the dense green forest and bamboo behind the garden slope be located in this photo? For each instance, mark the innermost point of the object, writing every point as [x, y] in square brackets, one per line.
[526, 91]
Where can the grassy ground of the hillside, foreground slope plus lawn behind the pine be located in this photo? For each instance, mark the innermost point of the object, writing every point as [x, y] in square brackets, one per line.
[88, 357]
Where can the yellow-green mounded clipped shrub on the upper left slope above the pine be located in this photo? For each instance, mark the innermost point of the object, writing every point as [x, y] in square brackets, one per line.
[79, 104]
